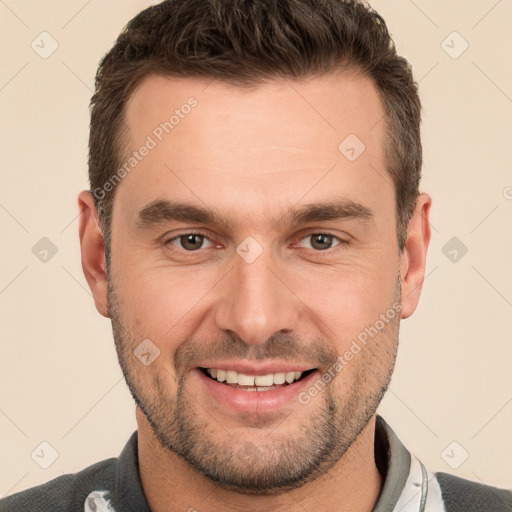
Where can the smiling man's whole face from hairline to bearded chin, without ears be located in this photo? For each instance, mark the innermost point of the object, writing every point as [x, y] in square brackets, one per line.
[244, 241]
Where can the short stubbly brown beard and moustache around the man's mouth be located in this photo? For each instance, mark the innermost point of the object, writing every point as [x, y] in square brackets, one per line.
[281, 461]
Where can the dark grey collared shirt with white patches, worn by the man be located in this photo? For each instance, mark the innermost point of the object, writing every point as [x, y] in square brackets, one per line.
[114, 485]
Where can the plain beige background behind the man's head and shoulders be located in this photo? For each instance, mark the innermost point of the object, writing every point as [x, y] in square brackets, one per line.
[59, 378]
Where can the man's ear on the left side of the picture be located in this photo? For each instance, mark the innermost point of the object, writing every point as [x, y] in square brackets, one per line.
[92, 248]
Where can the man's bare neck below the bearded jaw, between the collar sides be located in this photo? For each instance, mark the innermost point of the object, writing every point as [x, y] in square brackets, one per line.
[170, 484]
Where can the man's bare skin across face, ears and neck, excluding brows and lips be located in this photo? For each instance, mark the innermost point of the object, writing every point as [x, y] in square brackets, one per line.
[253, 155]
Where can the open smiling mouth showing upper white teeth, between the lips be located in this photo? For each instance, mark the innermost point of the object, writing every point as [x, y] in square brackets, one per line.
[255, 383]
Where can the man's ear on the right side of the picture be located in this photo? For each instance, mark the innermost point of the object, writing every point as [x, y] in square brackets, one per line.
[413, 258]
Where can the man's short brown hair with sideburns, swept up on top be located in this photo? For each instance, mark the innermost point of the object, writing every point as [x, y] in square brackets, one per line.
[245, 42]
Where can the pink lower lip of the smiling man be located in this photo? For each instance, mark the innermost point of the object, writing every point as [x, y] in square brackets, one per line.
[255, 401]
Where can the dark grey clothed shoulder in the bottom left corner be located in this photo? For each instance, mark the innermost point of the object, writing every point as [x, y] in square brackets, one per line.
[65, 493]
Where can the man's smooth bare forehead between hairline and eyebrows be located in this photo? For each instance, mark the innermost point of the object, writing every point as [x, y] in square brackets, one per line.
[261, 147]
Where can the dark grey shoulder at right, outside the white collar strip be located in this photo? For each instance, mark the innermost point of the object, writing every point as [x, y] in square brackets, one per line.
[461, 495]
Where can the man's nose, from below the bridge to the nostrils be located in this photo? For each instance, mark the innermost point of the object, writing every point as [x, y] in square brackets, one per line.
[256, 302]
